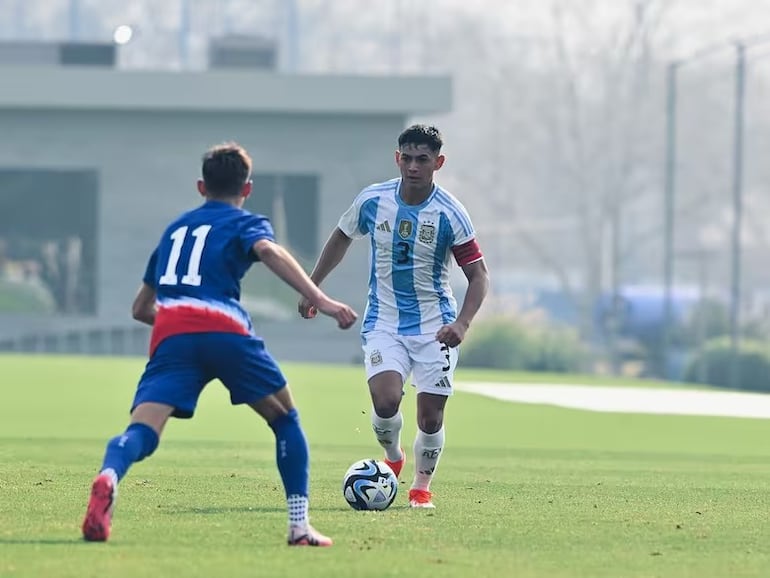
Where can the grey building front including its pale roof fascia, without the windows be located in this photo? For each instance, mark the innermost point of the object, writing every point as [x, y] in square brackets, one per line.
[144, 133]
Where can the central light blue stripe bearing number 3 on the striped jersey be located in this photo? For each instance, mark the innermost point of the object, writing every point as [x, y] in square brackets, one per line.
[408, 304]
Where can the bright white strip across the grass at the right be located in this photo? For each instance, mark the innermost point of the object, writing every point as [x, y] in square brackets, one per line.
[629, 399]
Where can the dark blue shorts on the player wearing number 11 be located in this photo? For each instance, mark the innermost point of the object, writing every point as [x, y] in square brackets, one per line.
[182, 365]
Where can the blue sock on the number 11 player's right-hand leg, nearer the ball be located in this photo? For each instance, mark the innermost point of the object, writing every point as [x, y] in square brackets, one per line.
[292, 454]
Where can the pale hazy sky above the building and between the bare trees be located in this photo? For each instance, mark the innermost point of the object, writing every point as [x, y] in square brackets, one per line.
[472, 41]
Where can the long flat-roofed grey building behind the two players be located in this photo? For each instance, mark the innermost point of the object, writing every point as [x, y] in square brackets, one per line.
[95, 161]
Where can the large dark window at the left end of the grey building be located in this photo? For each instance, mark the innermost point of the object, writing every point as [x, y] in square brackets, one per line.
[48, 241]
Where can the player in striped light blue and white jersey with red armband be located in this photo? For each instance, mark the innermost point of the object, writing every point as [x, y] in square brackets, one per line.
[411, 324]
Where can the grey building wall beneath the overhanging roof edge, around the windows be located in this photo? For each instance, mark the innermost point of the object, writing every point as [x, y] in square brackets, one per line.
[148, 164]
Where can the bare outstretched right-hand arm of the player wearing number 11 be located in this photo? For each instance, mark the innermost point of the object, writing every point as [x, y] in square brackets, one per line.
[286, 267]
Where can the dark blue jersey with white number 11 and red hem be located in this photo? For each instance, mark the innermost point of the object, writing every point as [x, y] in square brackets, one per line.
[197, 267]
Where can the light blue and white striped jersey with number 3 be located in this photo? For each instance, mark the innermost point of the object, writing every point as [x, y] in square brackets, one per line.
[411, 251]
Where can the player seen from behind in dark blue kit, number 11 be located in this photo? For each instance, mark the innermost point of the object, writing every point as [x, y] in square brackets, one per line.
[200, 332]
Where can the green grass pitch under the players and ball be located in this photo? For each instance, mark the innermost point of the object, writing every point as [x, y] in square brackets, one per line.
[522, 490]
